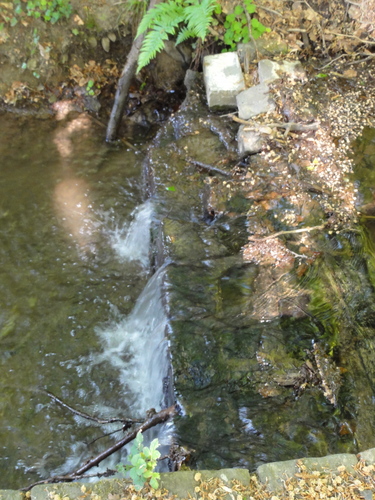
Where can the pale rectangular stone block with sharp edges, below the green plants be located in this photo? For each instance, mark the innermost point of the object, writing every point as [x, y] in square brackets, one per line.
[223, 79]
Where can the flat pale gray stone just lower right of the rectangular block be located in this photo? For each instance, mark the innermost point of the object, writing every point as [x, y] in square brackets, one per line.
[253, 101]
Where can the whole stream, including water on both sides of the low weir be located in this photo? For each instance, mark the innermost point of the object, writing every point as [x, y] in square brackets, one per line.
[104, 292]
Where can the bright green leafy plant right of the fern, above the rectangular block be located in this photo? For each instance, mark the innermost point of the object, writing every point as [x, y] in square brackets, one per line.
[238, 23]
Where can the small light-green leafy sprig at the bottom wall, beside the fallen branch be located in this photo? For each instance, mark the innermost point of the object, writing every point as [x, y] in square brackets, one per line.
[143, 461]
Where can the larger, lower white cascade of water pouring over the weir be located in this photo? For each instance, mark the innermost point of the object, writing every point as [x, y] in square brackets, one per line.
[137, 348]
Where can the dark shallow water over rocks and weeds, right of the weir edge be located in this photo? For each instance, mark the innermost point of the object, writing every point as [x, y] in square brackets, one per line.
[270, 363]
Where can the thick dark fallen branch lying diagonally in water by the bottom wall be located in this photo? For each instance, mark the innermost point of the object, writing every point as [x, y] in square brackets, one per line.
[155, 419]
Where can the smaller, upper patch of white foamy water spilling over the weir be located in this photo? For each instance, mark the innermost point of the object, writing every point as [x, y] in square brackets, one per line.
[132, 242]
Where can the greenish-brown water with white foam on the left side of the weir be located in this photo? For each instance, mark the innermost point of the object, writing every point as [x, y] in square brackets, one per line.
[74, 299]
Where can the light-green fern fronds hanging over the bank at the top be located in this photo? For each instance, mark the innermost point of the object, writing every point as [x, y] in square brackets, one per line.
[166, 18]
